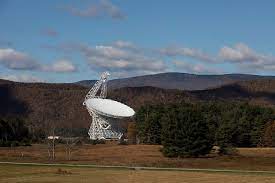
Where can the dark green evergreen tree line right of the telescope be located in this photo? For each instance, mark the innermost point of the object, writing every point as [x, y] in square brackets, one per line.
[192, 129]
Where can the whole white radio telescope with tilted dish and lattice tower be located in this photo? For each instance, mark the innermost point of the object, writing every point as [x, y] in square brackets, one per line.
[104, 112]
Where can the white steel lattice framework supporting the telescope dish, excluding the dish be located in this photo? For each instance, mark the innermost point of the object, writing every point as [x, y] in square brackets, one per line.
[101, 125]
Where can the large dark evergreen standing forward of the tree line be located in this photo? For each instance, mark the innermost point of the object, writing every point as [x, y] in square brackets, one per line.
[185, 133]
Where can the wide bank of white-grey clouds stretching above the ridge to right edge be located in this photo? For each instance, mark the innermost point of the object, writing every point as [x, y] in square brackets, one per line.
[127, 59]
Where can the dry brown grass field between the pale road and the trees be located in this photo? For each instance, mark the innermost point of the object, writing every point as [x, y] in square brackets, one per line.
[142, 155]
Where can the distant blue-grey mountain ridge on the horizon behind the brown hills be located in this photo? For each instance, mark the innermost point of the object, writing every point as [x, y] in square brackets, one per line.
[174, 80]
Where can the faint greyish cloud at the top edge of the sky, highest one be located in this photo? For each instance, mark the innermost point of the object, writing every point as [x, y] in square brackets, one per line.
[102, 8]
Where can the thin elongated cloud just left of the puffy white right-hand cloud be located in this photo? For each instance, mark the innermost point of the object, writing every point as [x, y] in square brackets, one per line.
[188, 52]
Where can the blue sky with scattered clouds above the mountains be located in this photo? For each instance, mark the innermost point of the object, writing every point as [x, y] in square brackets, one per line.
[68, 41]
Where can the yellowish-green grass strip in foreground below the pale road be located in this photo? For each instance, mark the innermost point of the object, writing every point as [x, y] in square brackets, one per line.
[19, 173]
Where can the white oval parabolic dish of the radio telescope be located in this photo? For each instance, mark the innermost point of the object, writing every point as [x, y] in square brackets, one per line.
[110, 108]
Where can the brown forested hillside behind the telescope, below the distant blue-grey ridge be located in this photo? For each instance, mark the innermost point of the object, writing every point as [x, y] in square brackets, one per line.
[61, 104]
